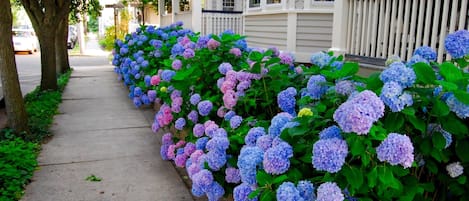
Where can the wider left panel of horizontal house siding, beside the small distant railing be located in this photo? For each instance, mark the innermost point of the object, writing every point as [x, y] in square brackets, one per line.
[266, 30]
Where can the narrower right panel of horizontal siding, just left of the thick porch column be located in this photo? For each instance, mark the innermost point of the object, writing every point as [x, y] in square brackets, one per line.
[314, 32]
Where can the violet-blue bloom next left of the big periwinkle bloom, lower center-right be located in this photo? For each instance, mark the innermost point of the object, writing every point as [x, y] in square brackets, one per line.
[277, 159]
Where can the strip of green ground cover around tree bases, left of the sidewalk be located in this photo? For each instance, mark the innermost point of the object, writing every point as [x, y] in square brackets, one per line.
[17, 155]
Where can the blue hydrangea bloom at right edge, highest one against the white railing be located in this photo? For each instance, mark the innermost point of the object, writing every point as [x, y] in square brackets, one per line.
[457, 44]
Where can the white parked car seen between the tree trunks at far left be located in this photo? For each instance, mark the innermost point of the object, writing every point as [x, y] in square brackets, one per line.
[25, 40]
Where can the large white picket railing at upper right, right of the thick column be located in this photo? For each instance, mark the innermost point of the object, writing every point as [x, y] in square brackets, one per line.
[380, 28]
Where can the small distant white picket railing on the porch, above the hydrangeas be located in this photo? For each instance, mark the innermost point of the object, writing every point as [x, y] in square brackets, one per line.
[216, 22]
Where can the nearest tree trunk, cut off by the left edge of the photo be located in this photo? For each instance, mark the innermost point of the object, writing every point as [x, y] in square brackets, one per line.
[14, 103]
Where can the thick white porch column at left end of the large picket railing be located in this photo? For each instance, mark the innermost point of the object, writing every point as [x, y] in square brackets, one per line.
[339, 27]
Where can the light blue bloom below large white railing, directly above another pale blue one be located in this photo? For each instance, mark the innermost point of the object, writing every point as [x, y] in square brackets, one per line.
[399, 73]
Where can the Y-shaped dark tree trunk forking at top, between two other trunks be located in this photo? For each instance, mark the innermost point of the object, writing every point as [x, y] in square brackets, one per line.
[46, 16]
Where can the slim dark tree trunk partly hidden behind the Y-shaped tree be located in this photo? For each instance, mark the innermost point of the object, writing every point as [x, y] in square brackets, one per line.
[61, 55]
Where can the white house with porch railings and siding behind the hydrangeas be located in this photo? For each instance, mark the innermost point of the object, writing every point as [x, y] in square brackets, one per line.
[366, 30]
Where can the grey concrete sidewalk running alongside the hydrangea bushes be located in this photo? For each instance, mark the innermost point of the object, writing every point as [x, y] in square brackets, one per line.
[99, 132]
